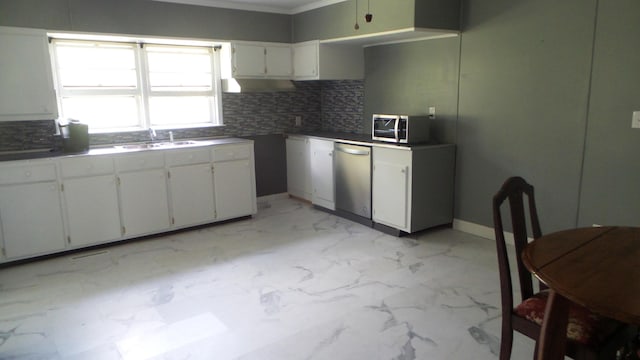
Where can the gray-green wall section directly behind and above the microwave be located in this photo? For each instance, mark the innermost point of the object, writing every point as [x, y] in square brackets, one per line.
[408, 78]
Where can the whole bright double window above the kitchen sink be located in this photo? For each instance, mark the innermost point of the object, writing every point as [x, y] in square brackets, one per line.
[115, 86]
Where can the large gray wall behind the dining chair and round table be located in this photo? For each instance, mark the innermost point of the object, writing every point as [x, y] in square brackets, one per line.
[529, 106]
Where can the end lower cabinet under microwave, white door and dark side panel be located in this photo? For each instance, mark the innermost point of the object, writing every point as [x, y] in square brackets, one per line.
[412, 188]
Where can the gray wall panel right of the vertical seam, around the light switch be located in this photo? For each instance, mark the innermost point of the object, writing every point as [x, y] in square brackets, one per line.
[609, 193]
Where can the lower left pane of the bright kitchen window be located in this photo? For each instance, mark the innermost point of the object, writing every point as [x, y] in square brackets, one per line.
[103, 112]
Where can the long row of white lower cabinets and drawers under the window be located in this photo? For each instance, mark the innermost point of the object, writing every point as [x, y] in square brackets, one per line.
[57, 204]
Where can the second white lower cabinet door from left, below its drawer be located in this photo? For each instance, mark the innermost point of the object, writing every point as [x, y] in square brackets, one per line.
[92, 209]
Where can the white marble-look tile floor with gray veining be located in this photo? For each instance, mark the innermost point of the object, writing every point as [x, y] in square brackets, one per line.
[293, 283]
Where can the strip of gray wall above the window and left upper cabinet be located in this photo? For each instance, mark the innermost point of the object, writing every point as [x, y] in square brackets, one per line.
[146, 17]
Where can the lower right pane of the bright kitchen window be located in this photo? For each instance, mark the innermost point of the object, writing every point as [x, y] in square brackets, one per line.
[165, 110]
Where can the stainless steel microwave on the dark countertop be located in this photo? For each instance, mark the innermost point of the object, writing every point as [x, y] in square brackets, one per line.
[401, 129]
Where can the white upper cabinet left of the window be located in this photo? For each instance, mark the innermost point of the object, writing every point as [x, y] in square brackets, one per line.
[26, 88]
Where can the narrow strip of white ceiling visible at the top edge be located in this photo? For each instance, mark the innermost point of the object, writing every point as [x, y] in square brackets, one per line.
[273, 6]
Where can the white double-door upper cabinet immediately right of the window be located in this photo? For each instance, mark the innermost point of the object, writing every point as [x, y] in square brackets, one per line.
[258, 60]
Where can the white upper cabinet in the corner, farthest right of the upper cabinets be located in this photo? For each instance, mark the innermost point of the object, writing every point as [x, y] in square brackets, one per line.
[313, 60]
